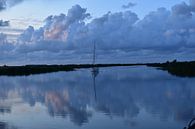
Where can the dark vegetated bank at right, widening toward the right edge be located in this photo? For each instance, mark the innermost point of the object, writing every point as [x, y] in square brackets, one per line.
[180, 69]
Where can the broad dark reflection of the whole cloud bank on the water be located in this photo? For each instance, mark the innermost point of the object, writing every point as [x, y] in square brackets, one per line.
[120, 93]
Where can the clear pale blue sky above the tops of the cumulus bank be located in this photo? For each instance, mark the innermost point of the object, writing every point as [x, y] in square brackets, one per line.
[35, 11]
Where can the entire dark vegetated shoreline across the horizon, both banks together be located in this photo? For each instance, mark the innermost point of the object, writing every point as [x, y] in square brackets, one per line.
[180, 69]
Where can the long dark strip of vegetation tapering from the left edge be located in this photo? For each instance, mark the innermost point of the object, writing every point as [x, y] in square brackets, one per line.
[39, 69]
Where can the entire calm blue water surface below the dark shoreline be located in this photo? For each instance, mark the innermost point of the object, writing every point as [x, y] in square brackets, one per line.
[116, 98]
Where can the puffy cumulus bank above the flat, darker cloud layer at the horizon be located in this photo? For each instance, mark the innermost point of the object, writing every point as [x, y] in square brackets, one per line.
[121, 30]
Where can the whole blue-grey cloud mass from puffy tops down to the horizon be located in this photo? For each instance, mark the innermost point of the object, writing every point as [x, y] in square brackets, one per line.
[161, 34]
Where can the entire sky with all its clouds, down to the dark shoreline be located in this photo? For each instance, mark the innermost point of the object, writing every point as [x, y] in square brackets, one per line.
[64, 31]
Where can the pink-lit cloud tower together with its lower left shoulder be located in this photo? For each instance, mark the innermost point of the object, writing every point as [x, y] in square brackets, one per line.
[56, 27]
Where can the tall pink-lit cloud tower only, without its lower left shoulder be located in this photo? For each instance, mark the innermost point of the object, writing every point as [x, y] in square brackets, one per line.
[56, 26]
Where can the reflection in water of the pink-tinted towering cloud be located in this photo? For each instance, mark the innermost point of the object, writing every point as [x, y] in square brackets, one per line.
[58, 105]
